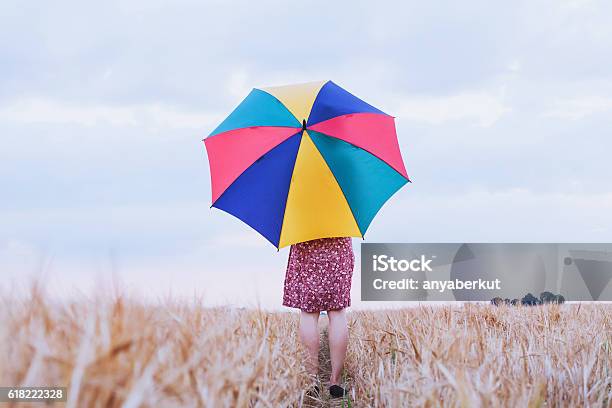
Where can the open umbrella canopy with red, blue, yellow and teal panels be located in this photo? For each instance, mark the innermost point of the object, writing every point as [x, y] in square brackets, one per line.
[304, 161]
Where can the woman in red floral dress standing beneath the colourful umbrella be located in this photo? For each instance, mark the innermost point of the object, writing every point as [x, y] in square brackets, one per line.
[318, 278]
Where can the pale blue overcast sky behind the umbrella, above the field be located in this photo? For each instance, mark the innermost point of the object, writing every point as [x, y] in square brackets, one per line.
[504, 114]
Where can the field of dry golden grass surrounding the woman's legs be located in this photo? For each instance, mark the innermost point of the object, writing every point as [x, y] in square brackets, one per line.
[116, 351]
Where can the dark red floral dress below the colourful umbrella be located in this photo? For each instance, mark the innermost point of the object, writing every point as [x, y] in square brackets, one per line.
[319, 275]
